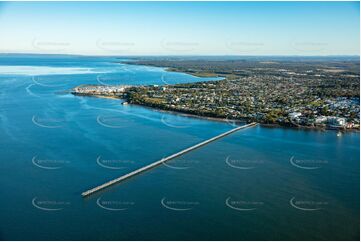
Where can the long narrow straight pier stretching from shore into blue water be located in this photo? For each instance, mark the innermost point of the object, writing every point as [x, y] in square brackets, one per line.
[159, 162]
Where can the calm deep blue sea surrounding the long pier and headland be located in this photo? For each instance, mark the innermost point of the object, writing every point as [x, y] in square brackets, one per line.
[257, 184]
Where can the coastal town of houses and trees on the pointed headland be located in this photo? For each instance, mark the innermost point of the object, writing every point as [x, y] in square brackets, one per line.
[306, 97]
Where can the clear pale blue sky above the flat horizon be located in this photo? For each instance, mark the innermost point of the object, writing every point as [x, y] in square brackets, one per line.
[180, 28]
